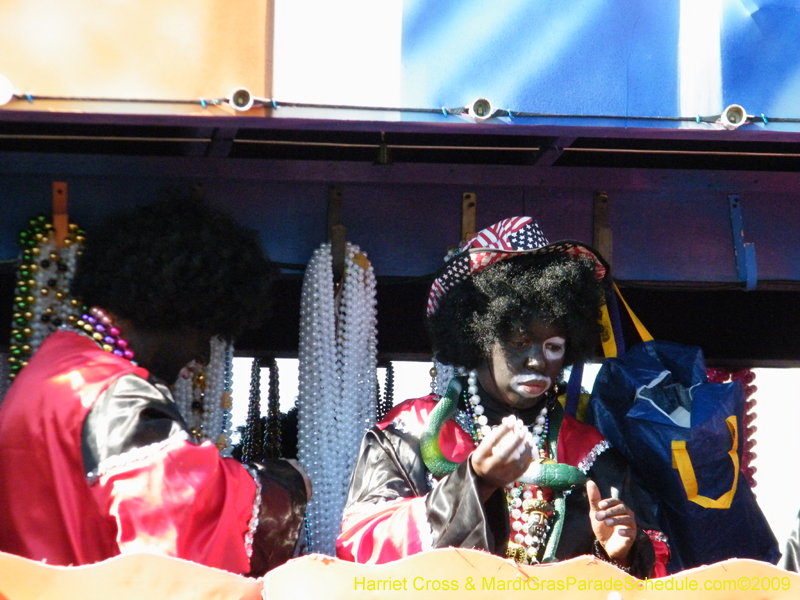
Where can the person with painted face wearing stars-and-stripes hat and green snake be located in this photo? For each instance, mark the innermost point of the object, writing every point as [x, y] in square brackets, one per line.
[510, 311]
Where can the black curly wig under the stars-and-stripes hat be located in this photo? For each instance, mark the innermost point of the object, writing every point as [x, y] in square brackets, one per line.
[481, 309]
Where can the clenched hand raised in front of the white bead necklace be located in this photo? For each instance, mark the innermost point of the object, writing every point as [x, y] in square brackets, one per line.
[502, 456]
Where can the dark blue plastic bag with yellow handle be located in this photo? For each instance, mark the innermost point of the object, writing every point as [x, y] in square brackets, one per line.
[683, 437]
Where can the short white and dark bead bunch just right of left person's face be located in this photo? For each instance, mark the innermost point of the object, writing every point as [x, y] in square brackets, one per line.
[203, 396]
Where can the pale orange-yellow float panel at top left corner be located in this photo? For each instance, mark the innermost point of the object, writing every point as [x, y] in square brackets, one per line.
[136, 49]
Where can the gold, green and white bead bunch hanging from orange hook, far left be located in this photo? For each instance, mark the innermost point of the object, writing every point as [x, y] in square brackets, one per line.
[42, 302]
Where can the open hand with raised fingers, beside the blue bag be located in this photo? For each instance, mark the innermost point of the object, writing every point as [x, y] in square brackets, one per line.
[613, 523]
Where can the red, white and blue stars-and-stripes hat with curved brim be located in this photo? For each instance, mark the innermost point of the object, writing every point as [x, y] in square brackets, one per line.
[515, 236]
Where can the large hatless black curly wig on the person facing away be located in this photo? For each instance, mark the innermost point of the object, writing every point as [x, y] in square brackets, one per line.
[176, 264]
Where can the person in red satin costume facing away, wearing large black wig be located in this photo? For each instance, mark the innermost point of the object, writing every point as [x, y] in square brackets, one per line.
[95, 458]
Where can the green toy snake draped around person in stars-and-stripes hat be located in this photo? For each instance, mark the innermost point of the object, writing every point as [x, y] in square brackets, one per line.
[547, 473]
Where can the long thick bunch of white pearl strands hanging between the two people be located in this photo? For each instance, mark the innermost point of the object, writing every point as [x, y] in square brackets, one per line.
[337, 384]
